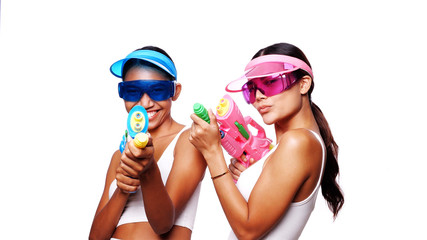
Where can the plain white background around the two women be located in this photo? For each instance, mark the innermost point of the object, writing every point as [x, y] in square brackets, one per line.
[61, 117]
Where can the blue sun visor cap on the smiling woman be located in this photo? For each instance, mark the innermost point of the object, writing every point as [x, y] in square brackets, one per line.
[151, 56]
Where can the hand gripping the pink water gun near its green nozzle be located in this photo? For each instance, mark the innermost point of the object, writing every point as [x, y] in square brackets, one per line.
[204, 136]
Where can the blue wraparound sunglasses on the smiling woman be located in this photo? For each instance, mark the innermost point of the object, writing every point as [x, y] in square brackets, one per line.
[158, 90]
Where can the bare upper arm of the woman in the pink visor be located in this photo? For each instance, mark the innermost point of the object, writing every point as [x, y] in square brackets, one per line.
[281, 179]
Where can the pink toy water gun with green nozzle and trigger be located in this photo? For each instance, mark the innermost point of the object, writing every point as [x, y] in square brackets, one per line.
[236, 139]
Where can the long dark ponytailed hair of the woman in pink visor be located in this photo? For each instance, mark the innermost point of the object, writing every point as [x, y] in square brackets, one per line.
[331, 191]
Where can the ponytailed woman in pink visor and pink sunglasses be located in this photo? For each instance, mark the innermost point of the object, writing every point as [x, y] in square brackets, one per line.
[274, 197]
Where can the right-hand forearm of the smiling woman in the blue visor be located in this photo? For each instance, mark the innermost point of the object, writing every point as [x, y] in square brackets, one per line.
[158, 204]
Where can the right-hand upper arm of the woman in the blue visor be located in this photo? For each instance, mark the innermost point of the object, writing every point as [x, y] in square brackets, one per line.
[187, 171]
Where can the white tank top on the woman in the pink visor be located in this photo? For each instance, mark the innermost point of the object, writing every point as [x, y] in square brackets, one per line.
[293, 221]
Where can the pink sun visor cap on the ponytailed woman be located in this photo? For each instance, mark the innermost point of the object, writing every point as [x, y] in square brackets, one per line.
[268, 65]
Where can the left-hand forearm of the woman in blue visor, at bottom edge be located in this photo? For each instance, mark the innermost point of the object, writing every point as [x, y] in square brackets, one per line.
[105, 221]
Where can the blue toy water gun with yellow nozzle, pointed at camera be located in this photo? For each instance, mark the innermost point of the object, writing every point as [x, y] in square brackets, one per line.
[137, 125]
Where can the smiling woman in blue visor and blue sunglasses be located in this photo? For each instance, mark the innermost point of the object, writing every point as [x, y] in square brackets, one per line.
[151, 193]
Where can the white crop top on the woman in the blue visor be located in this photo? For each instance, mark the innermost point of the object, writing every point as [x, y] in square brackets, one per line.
[134, 210]
